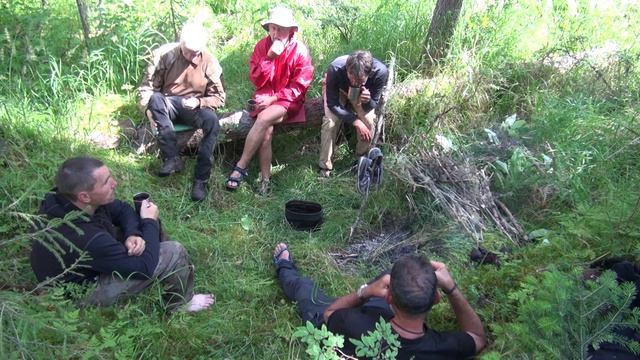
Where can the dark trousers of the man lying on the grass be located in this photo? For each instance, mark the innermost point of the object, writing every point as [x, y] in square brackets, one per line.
[310, 300]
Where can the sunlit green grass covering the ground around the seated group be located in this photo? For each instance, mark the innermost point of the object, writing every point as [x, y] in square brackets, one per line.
[53, 95]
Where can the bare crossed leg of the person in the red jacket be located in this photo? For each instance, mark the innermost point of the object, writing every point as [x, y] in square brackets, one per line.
[270, 116]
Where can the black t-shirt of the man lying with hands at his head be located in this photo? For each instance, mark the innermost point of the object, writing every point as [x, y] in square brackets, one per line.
[355, 322]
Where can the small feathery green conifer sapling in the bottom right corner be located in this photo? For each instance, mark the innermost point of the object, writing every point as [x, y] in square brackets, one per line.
[560, 316]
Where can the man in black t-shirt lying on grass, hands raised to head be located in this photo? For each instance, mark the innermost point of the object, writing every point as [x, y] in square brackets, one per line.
[403, 298]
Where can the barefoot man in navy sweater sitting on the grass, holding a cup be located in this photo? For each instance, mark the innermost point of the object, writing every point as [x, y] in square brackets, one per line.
[90, 249]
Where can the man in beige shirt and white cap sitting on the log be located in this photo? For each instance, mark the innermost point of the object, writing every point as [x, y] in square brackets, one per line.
[184, 84]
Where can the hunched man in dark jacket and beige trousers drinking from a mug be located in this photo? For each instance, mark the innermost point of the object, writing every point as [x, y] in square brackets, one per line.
[353, 87]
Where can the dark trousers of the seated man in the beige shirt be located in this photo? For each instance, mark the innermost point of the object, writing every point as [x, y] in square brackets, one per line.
[167, 109]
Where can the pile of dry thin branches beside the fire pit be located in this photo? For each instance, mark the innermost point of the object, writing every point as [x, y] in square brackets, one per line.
[463, 192]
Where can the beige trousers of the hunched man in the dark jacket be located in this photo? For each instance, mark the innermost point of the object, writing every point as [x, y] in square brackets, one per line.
[331, 125]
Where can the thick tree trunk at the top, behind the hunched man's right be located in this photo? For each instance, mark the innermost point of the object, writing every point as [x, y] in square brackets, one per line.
[443, 24]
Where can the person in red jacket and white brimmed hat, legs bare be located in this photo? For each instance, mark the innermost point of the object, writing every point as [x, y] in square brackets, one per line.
[281, 70]
